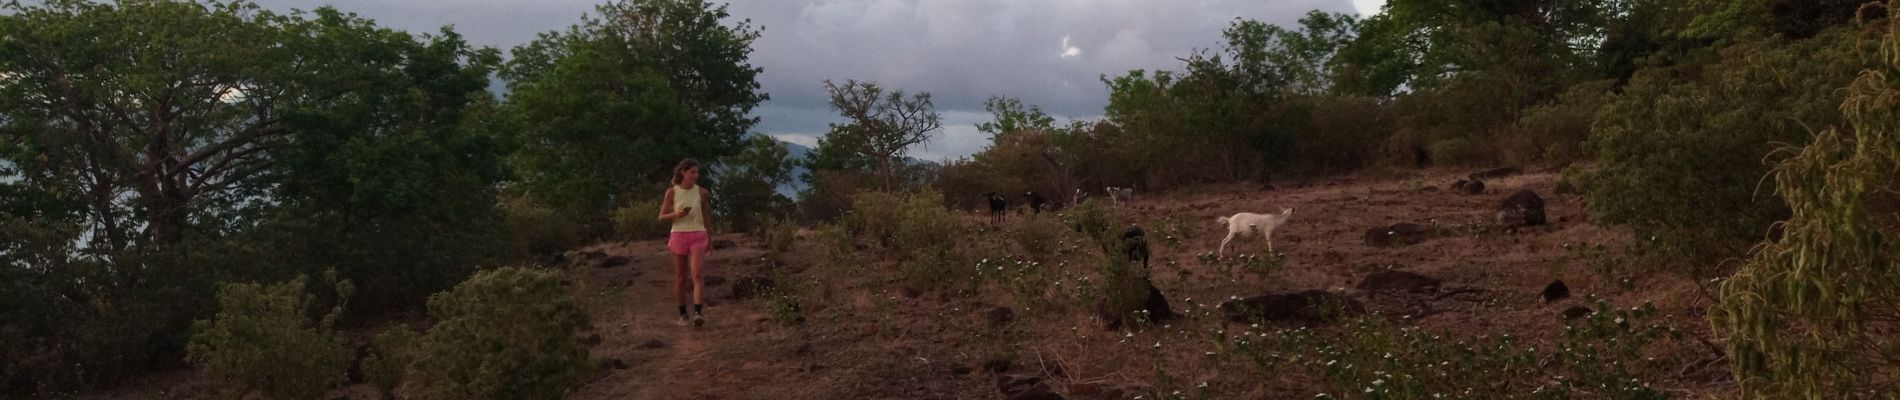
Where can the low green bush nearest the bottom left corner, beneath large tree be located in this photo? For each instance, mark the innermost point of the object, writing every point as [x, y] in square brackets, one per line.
[265, 342]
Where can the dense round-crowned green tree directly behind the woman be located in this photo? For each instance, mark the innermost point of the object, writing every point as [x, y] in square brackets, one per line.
[611, 105]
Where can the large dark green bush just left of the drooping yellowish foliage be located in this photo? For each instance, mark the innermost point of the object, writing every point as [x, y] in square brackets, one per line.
[1682, 151]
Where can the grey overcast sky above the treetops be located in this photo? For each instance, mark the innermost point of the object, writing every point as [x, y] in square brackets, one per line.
[962, 52]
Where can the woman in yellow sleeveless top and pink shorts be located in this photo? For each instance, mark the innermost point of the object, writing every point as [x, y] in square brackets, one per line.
[687, 206]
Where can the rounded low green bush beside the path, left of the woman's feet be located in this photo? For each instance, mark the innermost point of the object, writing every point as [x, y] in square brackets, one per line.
[503, 335]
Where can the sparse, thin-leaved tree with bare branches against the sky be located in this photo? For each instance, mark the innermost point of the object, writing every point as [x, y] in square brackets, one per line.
[881, 130]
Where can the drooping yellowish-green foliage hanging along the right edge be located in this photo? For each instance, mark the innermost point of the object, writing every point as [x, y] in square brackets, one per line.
[1810, 316]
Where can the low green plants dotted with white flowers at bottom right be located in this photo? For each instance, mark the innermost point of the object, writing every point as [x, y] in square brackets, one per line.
[1601, 357]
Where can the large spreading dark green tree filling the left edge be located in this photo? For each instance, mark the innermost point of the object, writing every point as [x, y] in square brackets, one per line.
[197, 141]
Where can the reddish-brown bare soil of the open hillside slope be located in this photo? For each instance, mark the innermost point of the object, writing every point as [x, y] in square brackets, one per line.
[864, 336]
